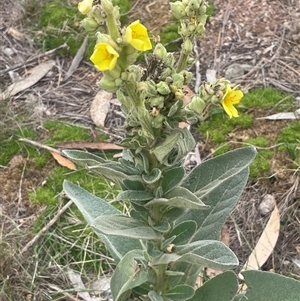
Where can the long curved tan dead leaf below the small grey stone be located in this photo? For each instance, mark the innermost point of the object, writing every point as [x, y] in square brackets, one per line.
[265, 244]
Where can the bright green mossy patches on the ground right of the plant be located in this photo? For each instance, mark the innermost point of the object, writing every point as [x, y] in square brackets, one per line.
[218, 127]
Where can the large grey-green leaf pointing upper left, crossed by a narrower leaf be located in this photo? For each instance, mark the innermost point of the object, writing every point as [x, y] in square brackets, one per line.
[92, 207]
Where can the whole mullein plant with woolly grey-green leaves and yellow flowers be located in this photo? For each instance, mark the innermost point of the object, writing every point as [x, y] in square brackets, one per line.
[171, 233]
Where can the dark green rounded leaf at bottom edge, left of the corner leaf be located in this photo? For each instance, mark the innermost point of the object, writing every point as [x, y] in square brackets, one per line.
[220, 288]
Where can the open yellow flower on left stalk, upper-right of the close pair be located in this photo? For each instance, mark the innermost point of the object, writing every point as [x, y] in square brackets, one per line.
[137, 36]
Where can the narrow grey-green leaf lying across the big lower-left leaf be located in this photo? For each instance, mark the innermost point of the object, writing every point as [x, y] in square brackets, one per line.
[125, 226]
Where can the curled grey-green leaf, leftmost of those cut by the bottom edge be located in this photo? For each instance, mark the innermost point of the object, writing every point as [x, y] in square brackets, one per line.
[127, 275]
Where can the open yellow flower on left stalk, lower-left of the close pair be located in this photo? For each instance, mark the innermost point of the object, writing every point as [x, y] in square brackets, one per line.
[104, 57]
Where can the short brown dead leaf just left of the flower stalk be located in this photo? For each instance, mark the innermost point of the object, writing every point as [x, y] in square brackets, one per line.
[100, 107]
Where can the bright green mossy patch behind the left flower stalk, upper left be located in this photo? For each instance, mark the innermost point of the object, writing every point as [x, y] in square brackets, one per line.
[57, 22]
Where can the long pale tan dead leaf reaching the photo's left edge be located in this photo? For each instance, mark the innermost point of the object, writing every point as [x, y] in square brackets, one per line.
[37, 73]
